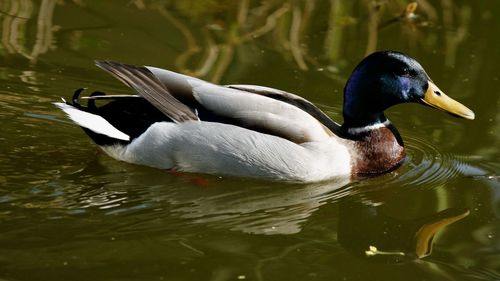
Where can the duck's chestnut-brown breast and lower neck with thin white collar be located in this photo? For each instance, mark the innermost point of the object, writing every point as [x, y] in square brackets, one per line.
[377, 147]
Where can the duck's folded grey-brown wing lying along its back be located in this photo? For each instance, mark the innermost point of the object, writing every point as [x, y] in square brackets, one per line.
[189, 98]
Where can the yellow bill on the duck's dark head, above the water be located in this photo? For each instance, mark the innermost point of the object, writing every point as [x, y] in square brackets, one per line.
[434, 97]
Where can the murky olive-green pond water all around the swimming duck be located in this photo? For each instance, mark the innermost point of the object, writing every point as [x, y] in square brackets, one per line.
[69, 212]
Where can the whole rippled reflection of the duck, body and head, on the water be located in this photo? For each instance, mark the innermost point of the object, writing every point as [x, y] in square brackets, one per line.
[362, 224]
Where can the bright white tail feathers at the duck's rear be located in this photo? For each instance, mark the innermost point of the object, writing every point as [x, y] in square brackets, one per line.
[92, 122]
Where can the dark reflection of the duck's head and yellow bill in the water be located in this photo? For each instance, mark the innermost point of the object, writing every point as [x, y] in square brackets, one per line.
[366, 231]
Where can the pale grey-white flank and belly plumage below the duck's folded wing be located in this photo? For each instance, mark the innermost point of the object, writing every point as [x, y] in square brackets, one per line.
[217, 148]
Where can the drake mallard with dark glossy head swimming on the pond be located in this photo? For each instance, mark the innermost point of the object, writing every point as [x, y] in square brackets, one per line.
[179, 122]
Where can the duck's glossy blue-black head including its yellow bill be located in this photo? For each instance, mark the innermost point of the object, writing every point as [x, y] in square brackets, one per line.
[387, 78]
